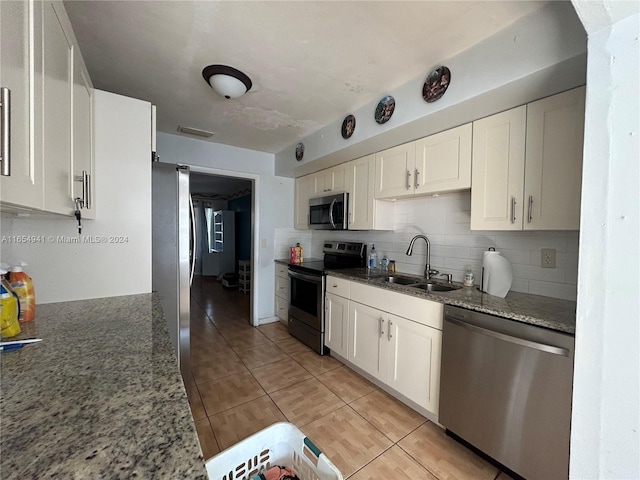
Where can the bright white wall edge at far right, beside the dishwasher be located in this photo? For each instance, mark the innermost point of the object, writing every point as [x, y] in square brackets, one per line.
[605, 434]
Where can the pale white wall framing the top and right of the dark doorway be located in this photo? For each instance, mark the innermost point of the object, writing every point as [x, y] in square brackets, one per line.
[274, 200]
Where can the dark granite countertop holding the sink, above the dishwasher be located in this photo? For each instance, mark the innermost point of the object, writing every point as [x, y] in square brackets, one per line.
[547, 312]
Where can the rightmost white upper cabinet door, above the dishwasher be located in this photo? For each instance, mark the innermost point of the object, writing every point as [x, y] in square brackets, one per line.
[553, 168]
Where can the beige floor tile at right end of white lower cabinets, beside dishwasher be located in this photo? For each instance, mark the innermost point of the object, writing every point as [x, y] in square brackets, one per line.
[388, 415]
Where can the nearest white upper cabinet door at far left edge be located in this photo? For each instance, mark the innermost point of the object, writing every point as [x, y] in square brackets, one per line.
[24, 186]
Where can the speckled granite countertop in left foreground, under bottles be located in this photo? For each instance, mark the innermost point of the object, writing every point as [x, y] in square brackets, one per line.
[100, 397]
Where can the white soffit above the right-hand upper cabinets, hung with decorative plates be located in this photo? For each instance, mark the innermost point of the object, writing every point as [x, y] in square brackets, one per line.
[539, 55]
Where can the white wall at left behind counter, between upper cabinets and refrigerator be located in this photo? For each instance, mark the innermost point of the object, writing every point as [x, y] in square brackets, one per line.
[63, 271]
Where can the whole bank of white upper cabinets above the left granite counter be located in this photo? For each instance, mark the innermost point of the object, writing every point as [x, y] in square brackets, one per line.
[51, 108]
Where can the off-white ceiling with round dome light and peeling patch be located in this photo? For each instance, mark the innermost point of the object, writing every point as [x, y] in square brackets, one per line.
[311, 62]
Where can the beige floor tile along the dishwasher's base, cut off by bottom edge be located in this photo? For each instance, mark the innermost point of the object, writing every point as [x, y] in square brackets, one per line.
[444, 457]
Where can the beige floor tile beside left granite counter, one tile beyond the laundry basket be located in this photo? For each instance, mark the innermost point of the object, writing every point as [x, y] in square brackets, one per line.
[229, 392]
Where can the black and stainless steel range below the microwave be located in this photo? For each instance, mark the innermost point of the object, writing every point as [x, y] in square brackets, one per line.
[306, 303]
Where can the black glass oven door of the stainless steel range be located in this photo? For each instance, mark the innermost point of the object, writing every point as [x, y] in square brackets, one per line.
[306, 301]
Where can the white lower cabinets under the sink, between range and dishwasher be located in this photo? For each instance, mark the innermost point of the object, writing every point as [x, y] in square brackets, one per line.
[403, 352]
